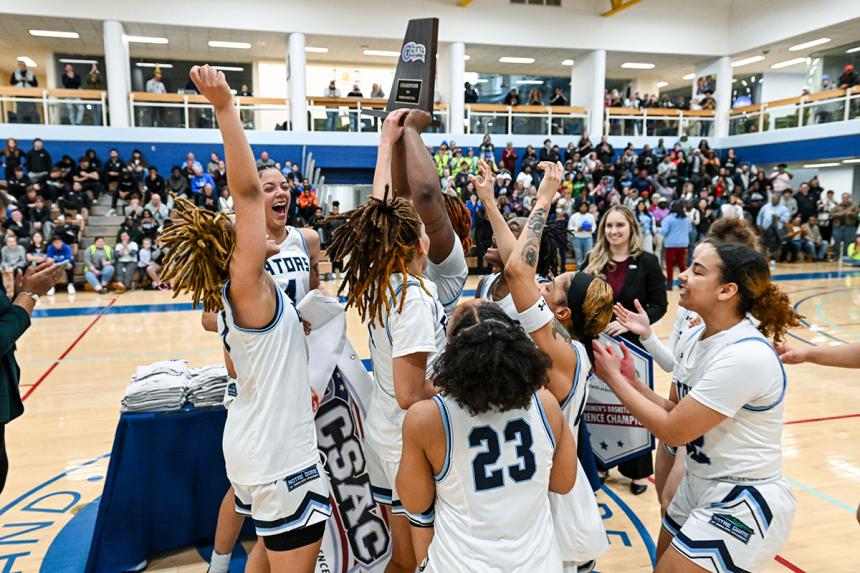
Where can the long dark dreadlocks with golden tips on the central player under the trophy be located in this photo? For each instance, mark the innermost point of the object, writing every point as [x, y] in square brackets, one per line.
[379, 238]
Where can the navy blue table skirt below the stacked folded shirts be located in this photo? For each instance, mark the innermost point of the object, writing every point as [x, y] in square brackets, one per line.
[163, 489]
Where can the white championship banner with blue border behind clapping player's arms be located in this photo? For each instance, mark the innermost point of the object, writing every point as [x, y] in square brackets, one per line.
[616, 436]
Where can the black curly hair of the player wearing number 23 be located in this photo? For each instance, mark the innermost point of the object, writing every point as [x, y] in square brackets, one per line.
[489, 362]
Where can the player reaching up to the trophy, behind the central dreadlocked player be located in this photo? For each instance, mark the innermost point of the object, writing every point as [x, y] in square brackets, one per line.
[446, 220]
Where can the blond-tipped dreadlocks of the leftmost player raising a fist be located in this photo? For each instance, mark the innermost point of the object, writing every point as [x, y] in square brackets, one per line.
[198, 246]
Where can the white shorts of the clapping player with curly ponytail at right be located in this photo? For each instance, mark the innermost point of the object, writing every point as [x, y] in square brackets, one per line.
[729, 527]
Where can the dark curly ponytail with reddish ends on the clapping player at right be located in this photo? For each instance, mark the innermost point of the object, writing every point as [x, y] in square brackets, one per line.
[758, 296]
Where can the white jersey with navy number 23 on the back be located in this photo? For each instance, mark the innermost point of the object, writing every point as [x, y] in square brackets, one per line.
[492, 509]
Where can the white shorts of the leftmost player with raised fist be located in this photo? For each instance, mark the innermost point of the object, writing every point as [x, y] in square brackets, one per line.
[296, 501]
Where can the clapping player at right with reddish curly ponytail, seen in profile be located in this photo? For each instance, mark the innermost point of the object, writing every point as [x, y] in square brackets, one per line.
[733, 510]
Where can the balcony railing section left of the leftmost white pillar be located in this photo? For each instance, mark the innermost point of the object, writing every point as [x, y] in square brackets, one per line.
[53, 106]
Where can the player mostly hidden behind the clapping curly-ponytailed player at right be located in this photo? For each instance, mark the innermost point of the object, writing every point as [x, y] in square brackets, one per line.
[668, 466]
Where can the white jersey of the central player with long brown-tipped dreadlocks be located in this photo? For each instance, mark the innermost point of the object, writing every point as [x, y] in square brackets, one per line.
[418, 327]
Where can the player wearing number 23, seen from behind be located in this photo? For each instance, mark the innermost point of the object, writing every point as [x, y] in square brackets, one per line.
[495, 443]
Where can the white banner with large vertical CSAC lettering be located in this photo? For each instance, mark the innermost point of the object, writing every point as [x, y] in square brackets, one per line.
[357, 536]
